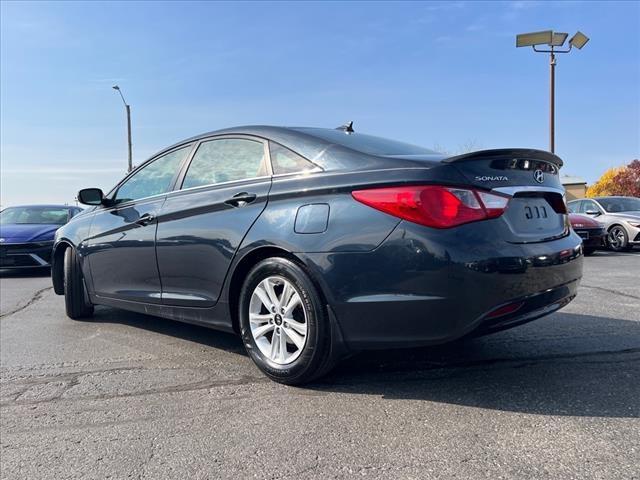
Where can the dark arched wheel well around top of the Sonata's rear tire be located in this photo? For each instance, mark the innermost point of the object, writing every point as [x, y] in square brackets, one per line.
[247, 263]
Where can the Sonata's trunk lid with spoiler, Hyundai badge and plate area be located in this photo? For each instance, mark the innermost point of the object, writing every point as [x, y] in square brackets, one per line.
[536, 211]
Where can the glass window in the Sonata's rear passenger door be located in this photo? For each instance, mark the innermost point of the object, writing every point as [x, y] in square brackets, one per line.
[225, 160]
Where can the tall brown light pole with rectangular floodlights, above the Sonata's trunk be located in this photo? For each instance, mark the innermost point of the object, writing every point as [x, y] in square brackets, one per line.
[555, 41]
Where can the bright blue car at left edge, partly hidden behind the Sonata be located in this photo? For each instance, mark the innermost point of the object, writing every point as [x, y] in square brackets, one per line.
[26, 234]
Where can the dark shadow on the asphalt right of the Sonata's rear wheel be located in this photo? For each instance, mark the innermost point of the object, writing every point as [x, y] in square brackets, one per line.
[575, 365]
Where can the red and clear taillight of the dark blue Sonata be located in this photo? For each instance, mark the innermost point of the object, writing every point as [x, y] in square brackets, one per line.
[433, 205]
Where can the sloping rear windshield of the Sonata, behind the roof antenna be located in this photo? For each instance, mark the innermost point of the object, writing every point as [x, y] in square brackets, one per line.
[367, 143]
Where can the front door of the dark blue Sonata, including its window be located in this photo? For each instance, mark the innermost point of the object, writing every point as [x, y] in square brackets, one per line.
[121, 245]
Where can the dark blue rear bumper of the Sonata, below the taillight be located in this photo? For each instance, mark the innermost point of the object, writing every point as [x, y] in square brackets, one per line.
[431, 287]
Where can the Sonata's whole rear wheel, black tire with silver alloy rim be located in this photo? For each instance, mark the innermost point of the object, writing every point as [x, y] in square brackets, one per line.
[283, 322]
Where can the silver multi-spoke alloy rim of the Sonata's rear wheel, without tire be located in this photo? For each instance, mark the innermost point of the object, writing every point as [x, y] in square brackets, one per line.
[278, 320]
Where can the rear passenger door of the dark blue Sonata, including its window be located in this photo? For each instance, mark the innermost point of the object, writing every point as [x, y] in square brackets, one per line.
[200, 227]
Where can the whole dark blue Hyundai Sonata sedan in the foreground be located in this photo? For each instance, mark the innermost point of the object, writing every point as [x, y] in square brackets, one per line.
[314, 243]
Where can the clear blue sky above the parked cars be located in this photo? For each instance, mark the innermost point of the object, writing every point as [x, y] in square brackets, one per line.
[443, 74]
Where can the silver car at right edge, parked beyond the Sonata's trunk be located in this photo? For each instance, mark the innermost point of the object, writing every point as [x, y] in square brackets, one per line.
[620, 216]
